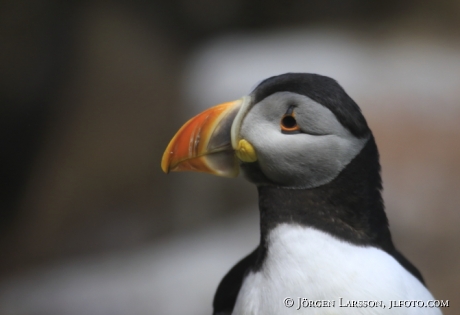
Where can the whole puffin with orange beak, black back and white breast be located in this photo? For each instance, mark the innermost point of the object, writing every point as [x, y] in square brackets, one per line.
[325, 243]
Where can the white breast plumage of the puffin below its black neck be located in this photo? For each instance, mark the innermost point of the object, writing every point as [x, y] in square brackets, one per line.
[303, 262]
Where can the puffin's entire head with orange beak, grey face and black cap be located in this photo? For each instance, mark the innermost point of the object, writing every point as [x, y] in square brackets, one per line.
[295, 130]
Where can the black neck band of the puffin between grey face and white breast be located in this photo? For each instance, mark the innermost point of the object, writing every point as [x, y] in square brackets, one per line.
[350, 207]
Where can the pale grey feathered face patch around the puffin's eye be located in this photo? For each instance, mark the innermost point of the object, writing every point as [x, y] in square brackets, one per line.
[308, 159]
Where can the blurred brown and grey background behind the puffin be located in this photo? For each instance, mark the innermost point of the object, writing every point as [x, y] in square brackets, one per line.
[92, 91]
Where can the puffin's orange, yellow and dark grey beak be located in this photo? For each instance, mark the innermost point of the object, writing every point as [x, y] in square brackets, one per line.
[204, 143]
